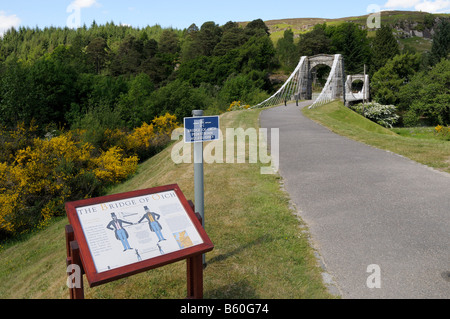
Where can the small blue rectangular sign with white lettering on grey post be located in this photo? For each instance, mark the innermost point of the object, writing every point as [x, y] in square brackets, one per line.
[201, 129]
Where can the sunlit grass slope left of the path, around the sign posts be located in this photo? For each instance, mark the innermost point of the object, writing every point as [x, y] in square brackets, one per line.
[261, 248]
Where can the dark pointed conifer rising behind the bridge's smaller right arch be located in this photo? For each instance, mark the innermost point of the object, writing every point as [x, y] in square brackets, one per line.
[384, 47]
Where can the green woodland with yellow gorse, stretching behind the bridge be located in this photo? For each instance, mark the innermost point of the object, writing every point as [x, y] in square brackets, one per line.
[79, 109]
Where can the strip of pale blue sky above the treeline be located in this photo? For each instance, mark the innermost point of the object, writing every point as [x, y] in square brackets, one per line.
[180, 14]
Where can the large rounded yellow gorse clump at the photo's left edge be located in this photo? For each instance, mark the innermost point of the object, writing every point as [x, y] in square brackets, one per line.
[36, 184]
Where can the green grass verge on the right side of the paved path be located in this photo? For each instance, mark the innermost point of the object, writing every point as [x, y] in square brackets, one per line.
[422, 148]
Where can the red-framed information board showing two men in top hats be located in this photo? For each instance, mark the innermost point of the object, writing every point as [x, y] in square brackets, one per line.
[125, 234]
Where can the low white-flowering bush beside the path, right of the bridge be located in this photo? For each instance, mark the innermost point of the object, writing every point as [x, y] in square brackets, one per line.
[384, 115]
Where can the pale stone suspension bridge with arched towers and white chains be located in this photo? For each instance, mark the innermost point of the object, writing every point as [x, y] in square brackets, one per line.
[338, 86]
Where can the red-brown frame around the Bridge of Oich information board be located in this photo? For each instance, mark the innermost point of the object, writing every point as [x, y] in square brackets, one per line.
[95, 278]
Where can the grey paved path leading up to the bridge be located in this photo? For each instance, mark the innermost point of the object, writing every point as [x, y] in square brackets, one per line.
[366, 206]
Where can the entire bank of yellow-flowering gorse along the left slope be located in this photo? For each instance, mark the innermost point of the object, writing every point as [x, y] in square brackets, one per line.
[38, 175]
